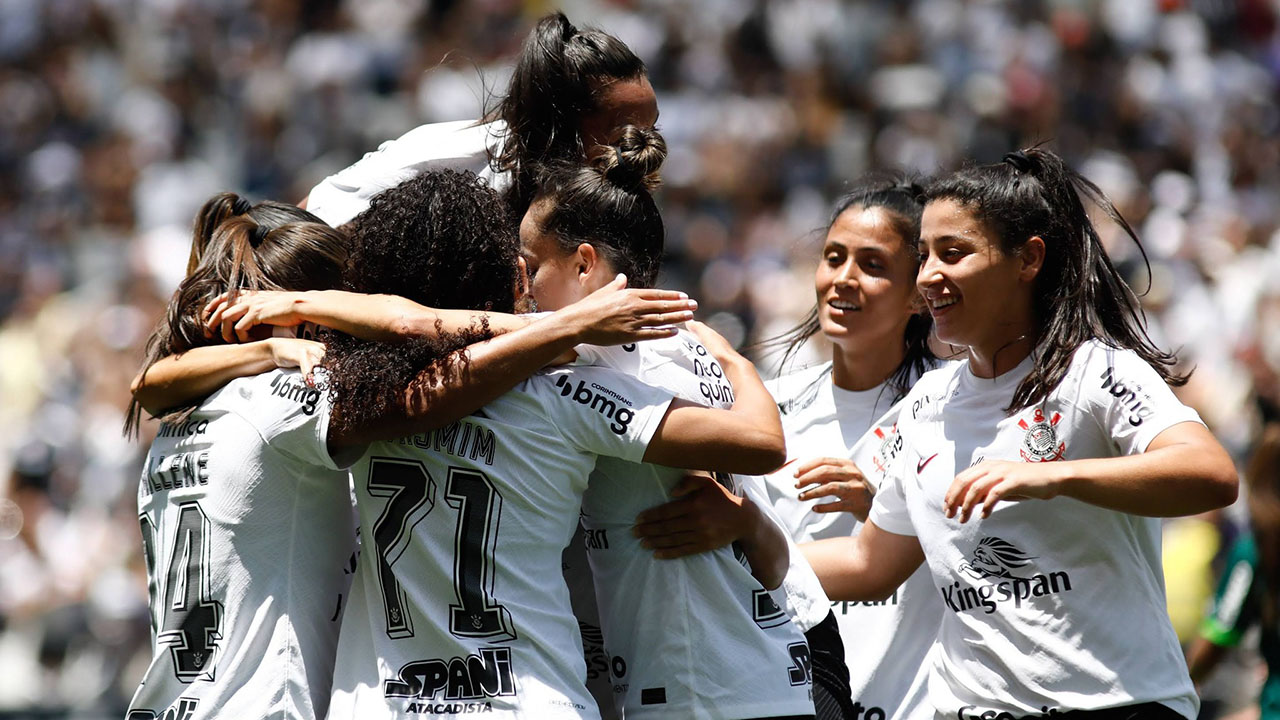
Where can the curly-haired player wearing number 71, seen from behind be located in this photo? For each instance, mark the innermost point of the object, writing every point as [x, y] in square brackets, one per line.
[459, 604]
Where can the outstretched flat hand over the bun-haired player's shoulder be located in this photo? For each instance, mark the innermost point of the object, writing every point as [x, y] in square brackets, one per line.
[616, 316]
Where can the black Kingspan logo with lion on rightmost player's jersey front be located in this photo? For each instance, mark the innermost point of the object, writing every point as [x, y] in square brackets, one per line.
[999, 573]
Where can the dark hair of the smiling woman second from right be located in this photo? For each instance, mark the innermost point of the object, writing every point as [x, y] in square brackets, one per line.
[902, 200]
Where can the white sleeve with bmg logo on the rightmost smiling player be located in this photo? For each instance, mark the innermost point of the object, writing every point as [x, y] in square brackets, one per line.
[1128, 399]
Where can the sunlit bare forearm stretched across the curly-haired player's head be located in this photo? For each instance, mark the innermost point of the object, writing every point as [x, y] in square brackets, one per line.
[390, 318]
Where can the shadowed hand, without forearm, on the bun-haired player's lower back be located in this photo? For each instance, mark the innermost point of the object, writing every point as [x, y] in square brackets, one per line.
[703, 516]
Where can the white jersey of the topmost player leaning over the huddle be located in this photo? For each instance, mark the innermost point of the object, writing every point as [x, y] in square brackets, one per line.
[461, 145]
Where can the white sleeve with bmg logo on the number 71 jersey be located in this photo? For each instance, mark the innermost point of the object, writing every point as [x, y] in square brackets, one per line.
[604, 412]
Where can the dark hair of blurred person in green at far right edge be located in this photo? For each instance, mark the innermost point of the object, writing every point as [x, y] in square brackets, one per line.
[1264, 499]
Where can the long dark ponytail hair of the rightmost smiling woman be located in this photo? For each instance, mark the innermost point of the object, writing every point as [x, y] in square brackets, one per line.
[1078, 294]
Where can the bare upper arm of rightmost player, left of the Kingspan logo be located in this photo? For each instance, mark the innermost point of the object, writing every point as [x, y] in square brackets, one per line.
[868, 567]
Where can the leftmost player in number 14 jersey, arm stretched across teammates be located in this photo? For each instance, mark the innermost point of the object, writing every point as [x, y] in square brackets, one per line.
[246, 520]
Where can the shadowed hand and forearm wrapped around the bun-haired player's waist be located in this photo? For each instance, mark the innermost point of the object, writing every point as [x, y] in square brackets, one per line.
[705, 516]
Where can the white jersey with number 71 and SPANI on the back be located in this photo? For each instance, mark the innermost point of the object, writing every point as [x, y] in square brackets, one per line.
[459, 607]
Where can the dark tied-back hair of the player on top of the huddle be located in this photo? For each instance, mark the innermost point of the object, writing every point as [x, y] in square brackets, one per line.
[556, 80]
